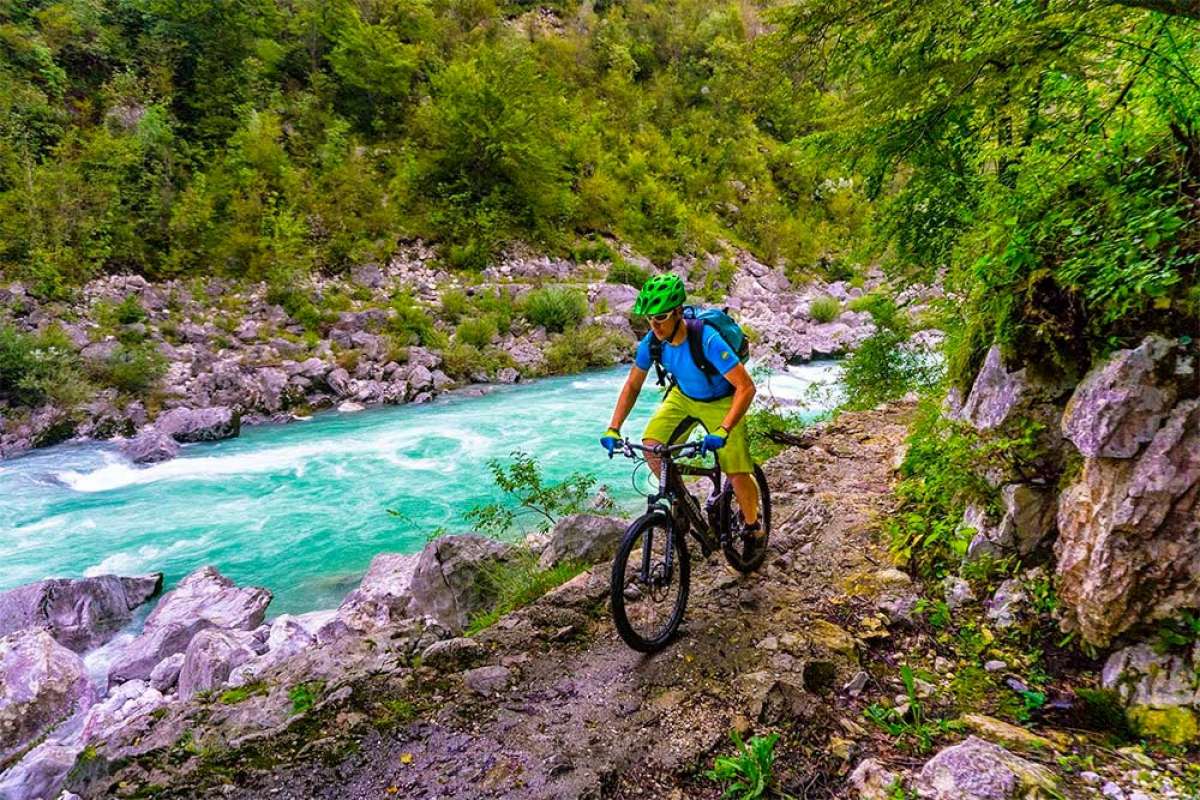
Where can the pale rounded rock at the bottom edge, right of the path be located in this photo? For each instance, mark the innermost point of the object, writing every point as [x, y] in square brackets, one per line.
[981, 771]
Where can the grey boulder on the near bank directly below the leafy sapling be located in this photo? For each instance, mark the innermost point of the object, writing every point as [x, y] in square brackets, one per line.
[448, 584]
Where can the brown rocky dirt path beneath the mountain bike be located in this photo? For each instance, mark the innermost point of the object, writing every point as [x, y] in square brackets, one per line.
[584, 717]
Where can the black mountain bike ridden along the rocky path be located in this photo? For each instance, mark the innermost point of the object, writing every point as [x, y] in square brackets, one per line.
[652, 570]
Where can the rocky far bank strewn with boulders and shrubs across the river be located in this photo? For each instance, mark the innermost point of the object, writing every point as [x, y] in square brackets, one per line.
[233, 357]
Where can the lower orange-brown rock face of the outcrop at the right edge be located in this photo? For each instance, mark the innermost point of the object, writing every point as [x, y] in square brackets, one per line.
[1129, 531]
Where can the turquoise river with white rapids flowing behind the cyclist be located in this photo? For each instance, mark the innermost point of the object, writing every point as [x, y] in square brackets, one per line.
[303, 508]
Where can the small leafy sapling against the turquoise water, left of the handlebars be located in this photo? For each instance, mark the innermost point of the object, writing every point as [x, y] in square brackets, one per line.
[521, 480]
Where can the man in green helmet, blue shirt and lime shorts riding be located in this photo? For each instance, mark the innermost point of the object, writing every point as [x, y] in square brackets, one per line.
[718, 402]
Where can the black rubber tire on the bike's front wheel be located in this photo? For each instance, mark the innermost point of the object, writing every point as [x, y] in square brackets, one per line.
[633, 539]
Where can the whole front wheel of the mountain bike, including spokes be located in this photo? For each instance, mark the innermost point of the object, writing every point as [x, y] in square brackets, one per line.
[650, 592]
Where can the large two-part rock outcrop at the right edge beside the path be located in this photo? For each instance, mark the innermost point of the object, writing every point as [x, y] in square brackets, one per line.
[1130, 526]
